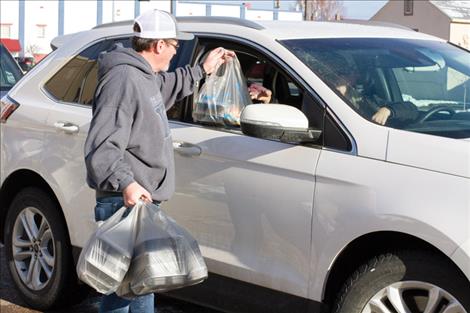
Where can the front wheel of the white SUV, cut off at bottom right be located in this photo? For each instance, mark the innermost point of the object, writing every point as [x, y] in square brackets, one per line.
[405, 282]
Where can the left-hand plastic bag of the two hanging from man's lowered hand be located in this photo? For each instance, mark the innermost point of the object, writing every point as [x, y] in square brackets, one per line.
[106, 257]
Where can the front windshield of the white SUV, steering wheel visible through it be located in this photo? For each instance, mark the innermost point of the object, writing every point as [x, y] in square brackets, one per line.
[425, 84]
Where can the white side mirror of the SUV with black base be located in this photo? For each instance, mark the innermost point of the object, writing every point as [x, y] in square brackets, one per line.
[277, 122]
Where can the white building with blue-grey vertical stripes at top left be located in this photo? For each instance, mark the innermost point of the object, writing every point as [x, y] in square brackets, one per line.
[35, 23]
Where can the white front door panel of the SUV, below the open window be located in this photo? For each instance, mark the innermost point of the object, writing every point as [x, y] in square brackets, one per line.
[248, 201]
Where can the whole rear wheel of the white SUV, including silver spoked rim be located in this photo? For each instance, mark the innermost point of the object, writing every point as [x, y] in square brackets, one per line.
[38, 252]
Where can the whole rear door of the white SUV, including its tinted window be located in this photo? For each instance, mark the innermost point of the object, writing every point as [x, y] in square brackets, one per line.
[72, 88]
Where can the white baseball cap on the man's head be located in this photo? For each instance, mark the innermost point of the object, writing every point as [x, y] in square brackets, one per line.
[157, 24]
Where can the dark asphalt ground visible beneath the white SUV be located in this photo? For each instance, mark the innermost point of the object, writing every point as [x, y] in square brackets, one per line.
[11, 302]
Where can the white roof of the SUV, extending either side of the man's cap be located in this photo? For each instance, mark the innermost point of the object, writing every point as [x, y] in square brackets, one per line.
[275, 30]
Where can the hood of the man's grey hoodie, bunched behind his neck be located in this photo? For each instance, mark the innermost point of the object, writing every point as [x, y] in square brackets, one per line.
[119, 55]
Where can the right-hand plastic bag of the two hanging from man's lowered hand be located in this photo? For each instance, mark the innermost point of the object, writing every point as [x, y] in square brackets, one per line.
[166, 256]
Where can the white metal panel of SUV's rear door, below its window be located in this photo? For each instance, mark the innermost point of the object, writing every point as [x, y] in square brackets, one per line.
[65, 169]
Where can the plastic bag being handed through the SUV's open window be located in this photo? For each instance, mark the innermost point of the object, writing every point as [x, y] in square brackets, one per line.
[223, 96]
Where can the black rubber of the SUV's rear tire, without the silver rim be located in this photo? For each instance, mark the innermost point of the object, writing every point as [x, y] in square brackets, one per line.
[59, 285]
